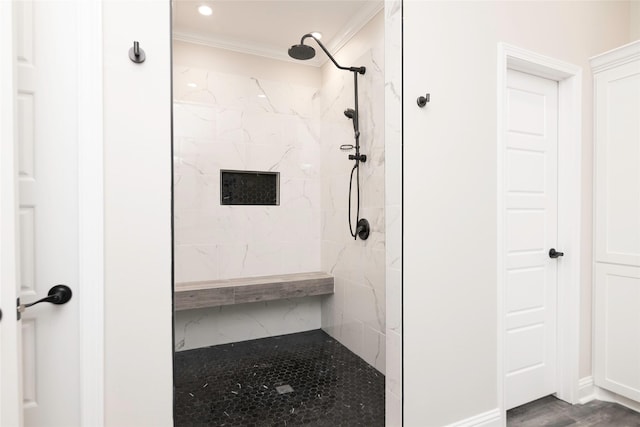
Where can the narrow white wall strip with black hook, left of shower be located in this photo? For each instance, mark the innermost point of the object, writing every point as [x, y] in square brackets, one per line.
[137, 179]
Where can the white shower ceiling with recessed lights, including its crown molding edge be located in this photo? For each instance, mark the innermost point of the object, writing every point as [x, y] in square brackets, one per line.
[269, 27]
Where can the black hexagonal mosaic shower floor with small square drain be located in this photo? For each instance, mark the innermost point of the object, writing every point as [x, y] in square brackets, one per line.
[236, 384]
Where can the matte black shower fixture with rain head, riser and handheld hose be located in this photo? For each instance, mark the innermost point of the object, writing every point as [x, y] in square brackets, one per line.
[304, 52]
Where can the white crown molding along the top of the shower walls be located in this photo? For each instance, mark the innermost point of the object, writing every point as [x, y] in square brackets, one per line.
[343, 36]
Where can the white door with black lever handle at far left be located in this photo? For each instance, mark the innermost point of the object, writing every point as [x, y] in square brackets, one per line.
[44, 96]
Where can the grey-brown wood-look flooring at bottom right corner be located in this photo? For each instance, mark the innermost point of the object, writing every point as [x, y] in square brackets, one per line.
[552, 412]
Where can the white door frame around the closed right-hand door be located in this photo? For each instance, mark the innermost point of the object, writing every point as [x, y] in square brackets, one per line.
[569, 78]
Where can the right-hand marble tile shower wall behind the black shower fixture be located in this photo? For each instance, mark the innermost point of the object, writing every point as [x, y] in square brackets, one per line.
[355, 314]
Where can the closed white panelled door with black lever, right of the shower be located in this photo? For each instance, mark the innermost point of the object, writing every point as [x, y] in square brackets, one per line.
[531, 230]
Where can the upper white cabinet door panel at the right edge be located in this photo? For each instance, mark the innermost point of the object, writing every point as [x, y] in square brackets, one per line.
[617, 183]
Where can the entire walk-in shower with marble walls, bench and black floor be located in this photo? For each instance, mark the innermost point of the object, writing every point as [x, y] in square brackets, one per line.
[280, 314]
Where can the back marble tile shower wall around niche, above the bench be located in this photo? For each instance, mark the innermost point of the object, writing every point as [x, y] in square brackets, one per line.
[235, 122]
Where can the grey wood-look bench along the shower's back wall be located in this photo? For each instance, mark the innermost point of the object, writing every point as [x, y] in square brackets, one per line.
[214, 293]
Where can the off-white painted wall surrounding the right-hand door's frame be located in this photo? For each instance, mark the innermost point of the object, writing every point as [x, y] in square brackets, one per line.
[450, 301]
